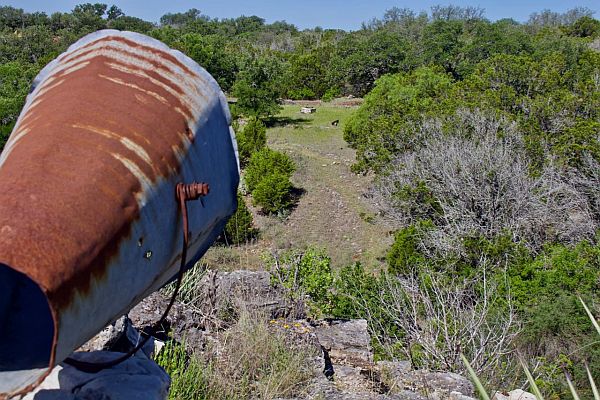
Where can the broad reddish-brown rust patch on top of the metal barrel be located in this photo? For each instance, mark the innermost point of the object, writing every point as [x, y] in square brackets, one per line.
[68, 110]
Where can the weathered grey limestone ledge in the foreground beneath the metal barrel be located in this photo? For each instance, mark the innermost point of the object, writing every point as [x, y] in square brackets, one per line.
[344, 371]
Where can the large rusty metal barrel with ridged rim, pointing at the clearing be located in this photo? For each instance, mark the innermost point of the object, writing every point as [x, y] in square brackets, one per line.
[89, 222]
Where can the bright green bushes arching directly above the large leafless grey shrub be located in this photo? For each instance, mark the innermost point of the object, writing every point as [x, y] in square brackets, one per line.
[551, 95]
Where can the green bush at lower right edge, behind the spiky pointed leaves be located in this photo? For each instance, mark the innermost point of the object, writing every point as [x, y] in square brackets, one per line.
[546, 291]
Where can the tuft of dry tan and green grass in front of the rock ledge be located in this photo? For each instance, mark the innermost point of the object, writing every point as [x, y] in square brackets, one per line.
[247, 361]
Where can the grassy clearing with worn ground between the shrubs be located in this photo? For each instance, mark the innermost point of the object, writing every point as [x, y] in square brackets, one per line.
[331, 212]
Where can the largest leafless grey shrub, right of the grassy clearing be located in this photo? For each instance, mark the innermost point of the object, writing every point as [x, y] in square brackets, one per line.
[478, 182]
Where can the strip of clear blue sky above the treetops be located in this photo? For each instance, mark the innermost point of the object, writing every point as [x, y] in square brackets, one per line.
[344, 14]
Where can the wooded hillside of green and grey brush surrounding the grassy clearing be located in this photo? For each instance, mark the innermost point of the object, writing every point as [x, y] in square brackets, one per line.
[482, 139]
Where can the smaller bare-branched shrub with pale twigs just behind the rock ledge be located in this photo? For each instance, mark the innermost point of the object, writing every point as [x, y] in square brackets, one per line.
[428, 316]
